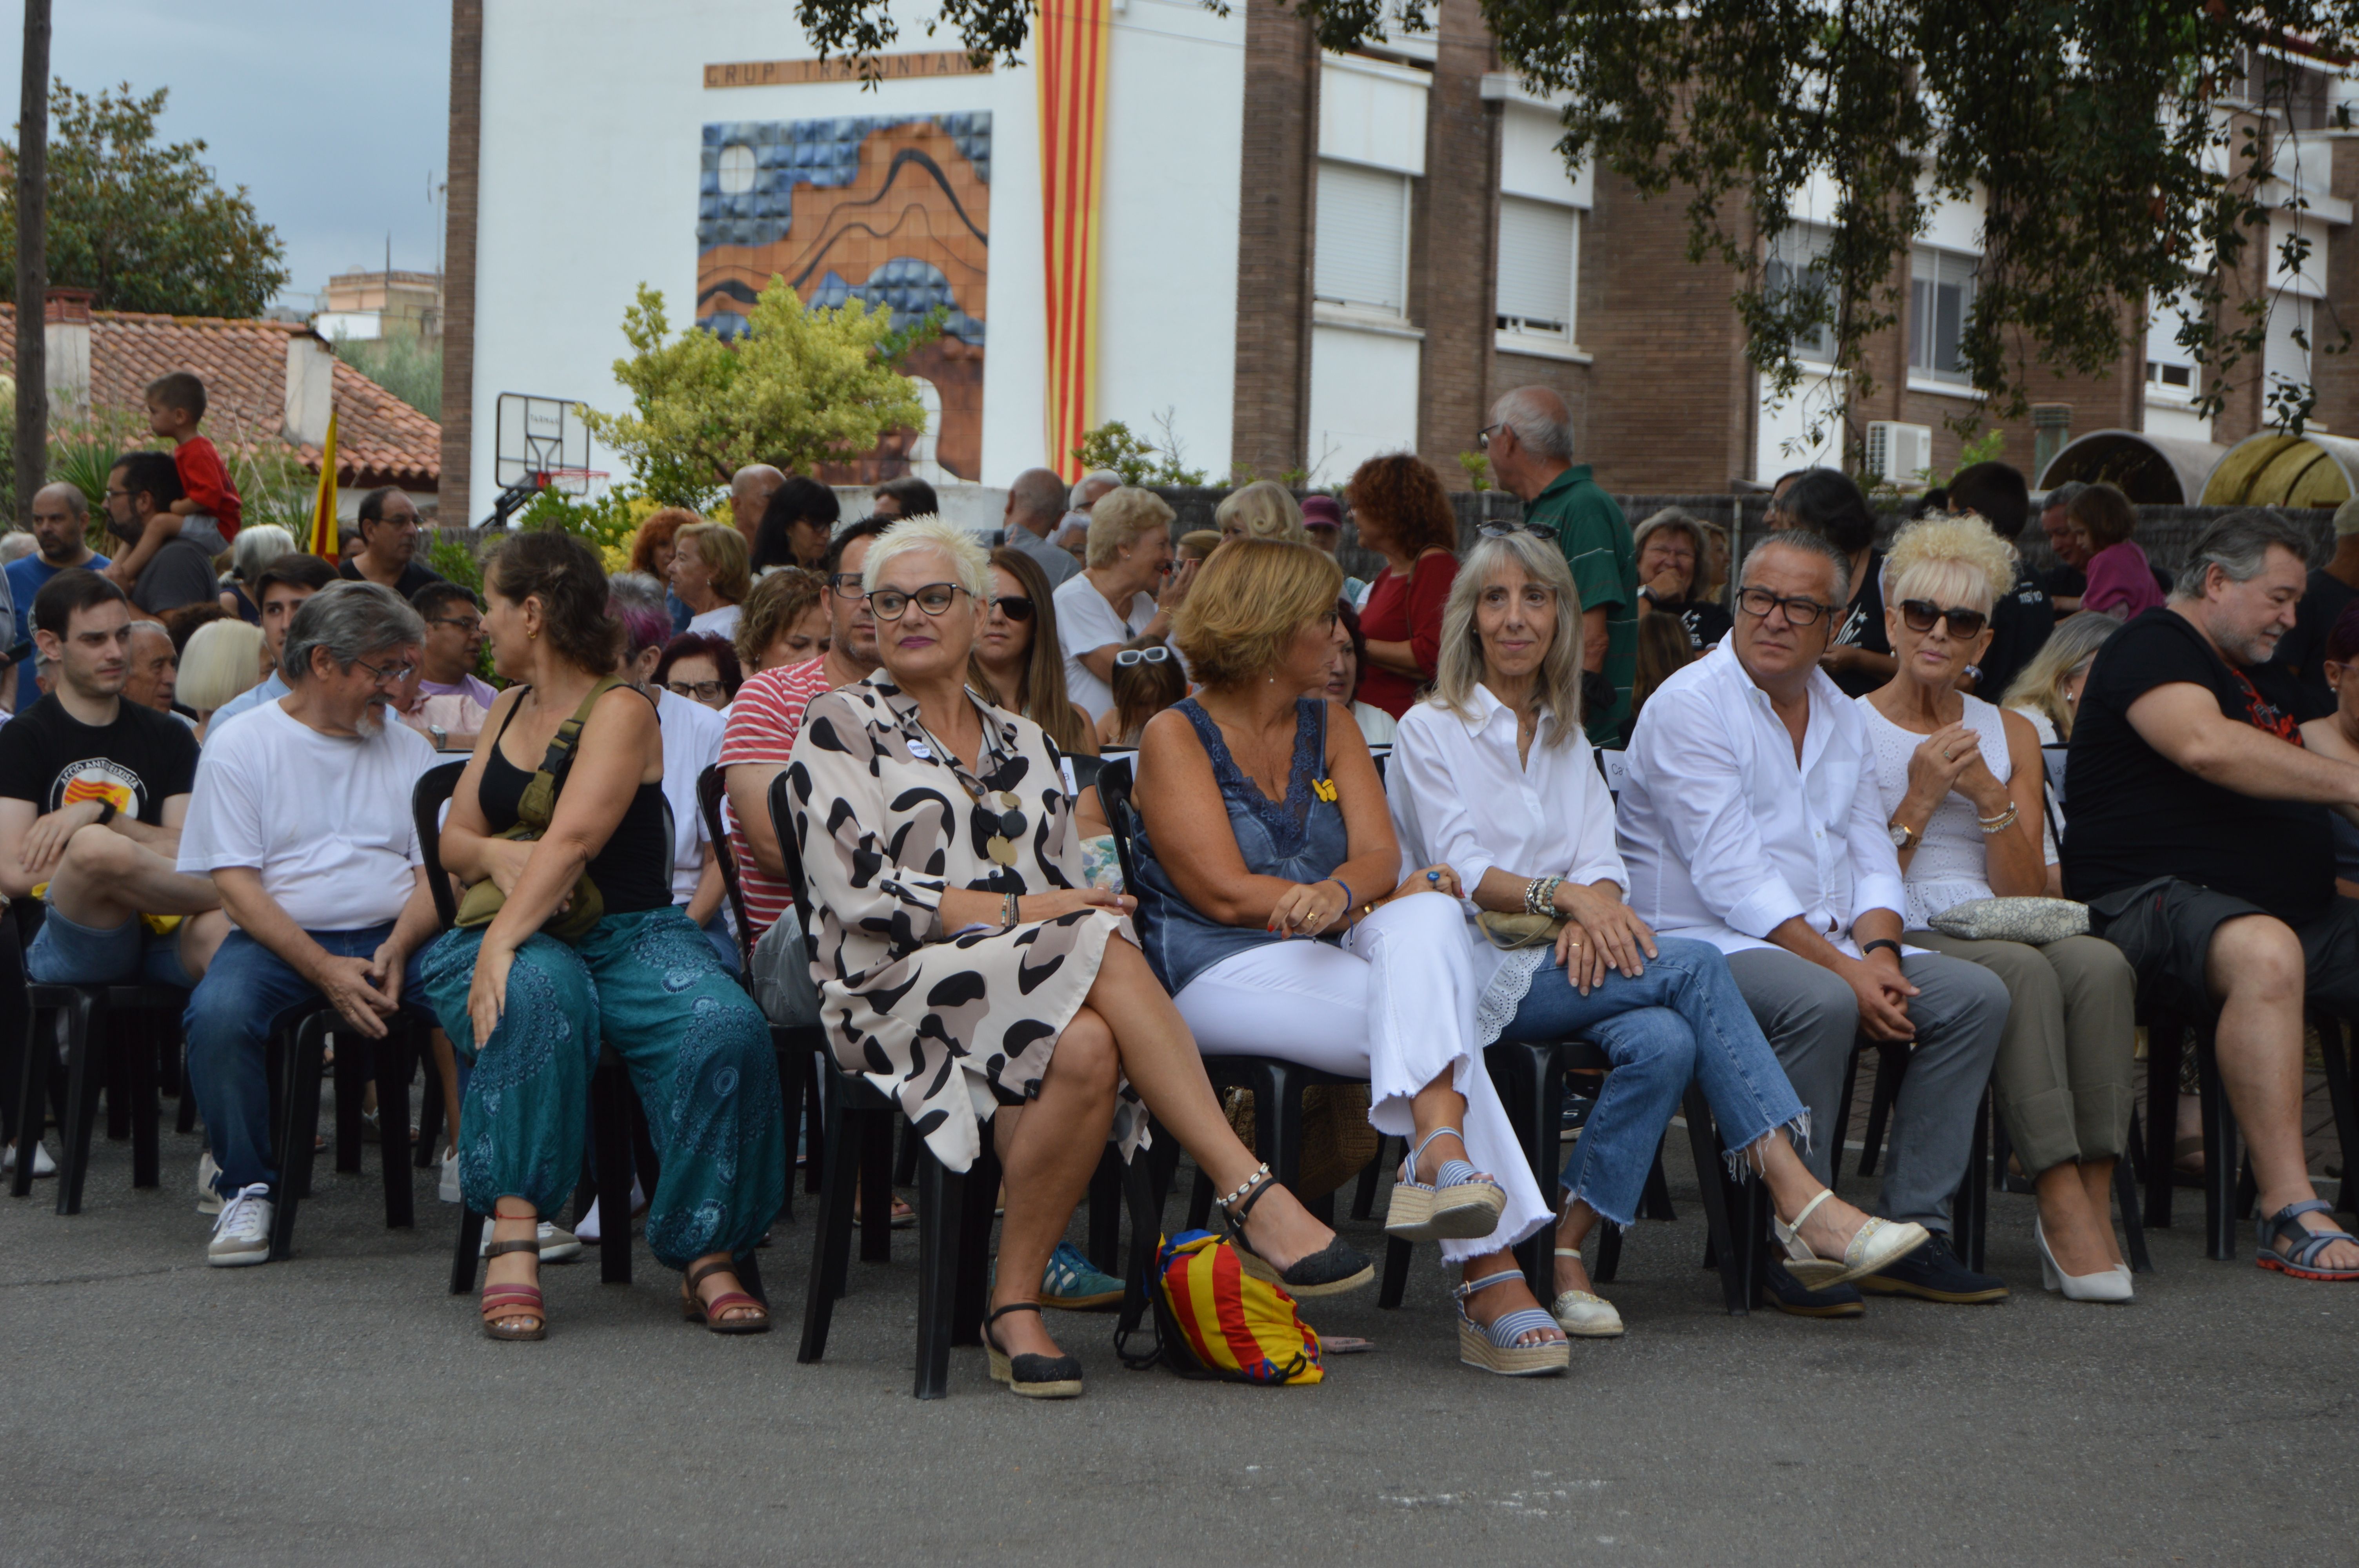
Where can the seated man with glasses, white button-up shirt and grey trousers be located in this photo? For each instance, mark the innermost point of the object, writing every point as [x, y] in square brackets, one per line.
[1752, 822]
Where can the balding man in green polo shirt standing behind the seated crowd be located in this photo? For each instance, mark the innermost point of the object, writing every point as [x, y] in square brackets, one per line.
[1532, 454]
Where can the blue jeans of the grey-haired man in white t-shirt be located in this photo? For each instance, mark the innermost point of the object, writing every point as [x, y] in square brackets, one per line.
[228, 1025]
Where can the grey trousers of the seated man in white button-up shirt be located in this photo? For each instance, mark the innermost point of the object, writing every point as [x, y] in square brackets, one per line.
[1813, 1025]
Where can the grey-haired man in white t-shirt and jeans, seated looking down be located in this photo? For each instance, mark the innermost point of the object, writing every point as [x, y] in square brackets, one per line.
[303, 819]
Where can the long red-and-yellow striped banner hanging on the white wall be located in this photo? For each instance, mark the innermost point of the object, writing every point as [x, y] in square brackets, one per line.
[1070, 55]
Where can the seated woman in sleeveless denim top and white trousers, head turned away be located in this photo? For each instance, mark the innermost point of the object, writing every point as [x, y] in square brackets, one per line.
[1263, 822]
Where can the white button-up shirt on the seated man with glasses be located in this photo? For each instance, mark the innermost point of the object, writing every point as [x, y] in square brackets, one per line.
[1728, 838]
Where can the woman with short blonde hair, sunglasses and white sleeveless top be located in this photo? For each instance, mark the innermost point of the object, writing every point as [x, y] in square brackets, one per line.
[1962, 786]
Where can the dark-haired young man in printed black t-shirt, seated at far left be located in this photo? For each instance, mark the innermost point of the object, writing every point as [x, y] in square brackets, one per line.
[93, 793]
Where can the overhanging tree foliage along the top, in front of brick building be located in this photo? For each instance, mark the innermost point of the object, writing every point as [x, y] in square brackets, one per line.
[2120, 150]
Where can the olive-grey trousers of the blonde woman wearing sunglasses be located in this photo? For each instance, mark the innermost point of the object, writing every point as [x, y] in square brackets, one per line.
[2065, 1058]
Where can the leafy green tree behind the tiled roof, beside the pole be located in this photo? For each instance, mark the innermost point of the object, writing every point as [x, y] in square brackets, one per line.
[145, 225]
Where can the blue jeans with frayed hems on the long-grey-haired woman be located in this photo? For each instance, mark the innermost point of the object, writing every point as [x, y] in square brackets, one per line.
[1683, 1020]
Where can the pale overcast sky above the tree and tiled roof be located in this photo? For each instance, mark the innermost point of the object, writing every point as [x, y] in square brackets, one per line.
[334, 117]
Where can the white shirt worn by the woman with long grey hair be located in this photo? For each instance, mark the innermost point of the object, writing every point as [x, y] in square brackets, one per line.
[1461, 798]
